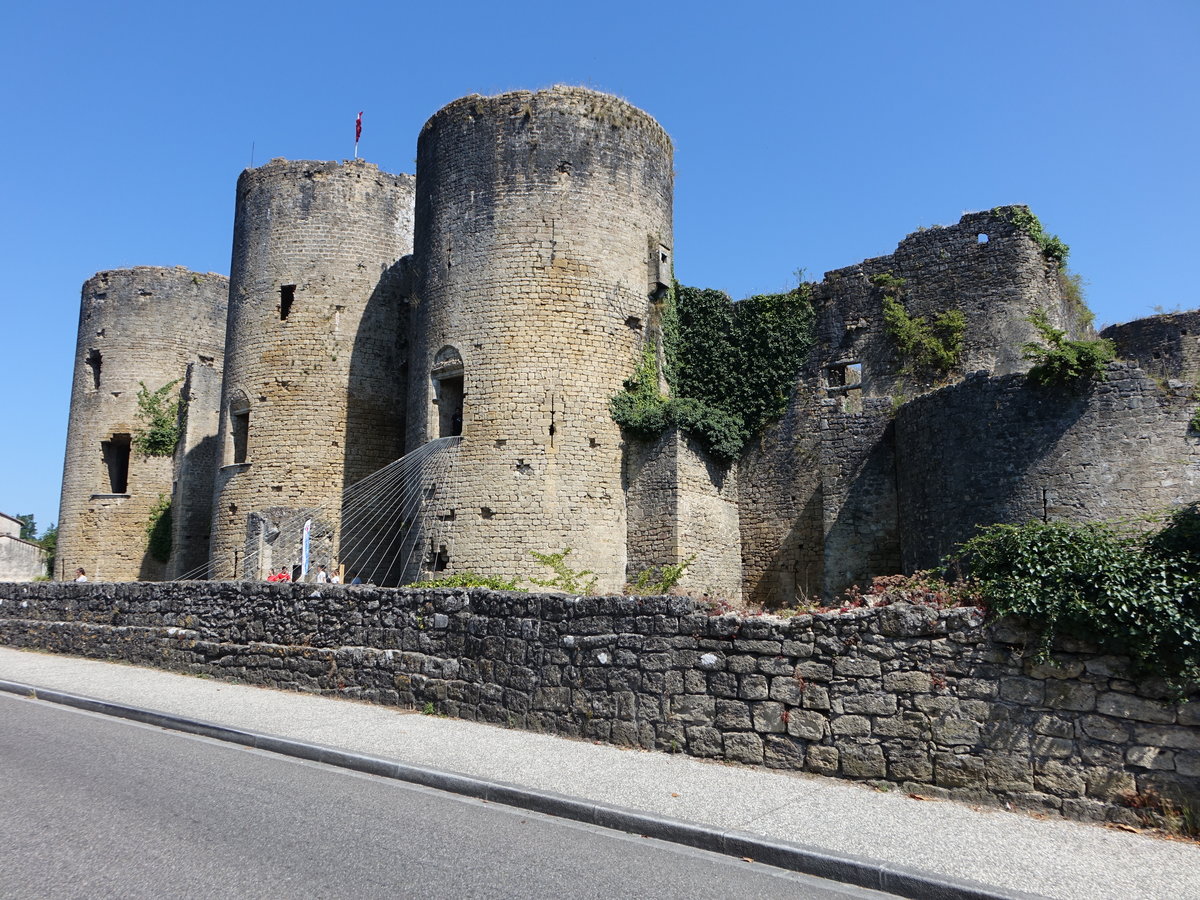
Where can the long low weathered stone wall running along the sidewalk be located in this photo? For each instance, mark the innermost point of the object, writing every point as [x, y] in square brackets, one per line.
[935, 701]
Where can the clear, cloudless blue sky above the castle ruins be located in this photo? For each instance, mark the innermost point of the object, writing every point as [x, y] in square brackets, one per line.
[808, 135]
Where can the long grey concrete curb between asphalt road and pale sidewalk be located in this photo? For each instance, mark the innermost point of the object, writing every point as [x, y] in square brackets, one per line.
[862, 872]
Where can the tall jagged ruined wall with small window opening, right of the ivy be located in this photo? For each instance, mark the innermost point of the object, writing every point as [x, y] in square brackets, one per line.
[819, 487]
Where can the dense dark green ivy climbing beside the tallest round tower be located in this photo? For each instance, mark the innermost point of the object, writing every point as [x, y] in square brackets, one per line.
[731, 368]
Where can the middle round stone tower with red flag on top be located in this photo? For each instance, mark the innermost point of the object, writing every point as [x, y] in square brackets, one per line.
[314, 389]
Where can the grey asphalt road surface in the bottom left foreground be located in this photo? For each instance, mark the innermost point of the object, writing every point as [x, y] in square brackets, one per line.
[93, 807]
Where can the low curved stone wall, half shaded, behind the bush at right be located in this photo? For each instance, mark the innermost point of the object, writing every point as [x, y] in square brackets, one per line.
[1006, 451]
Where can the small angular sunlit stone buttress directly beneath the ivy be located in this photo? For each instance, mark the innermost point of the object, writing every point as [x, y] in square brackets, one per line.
[681, 507]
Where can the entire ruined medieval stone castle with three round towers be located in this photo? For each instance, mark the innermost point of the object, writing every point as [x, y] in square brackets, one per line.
[496, 303]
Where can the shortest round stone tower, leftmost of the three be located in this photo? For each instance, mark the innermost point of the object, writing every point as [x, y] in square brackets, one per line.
[139, 329]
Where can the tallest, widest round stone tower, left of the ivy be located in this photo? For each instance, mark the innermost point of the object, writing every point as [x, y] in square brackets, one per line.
[543, 248]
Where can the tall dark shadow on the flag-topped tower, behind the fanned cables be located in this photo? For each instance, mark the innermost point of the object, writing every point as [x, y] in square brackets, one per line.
[376, 416]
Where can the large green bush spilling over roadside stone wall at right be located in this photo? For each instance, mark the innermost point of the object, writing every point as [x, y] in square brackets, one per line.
[1127, 593]
